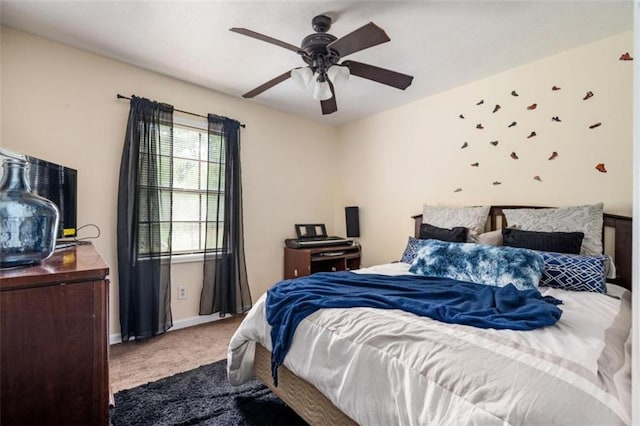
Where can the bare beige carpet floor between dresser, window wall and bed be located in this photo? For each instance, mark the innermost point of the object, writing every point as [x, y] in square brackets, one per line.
[135, 363]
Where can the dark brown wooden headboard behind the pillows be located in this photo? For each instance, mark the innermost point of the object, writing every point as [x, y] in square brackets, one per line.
[619, 248]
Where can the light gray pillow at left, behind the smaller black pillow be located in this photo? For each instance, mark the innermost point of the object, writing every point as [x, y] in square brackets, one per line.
[474, 218]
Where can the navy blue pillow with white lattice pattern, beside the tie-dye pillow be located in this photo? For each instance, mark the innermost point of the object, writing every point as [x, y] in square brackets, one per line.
[574, 272]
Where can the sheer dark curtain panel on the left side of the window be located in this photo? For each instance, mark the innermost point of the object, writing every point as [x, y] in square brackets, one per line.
[144, 221]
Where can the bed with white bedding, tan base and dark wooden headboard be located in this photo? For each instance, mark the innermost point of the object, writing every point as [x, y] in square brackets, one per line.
[385, 366]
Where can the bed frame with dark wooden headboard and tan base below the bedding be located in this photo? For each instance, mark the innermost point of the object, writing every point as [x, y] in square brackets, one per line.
[317, 409]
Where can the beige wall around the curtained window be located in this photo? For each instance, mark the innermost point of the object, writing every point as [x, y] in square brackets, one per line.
[59, 103]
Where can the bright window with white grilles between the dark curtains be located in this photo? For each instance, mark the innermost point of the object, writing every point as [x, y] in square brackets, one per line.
[190, 177]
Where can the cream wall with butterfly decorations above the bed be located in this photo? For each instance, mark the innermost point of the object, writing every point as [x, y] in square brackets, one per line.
[394, 162]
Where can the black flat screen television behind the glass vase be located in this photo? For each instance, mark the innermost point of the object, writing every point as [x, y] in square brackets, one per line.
[53, 182]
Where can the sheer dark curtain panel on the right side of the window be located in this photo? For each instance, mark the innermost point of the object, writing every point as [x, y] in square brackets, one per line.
[225, 288]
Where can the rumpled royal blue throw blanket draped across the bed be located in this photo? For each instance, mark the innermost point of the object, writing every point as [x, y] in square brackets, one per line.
[443, 299]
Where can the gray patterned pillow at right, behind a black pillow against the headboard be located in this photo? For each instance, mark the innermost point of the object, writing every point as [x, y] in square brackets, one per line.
[587, 219]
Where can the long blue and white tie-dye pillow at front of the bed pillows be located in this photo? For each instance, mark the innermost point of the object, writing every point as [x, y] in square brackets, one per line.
[480, 264]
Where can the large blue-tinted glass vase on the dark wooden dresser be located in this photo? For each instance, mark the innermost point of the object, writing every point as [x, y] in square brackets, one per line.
[28, 222]
